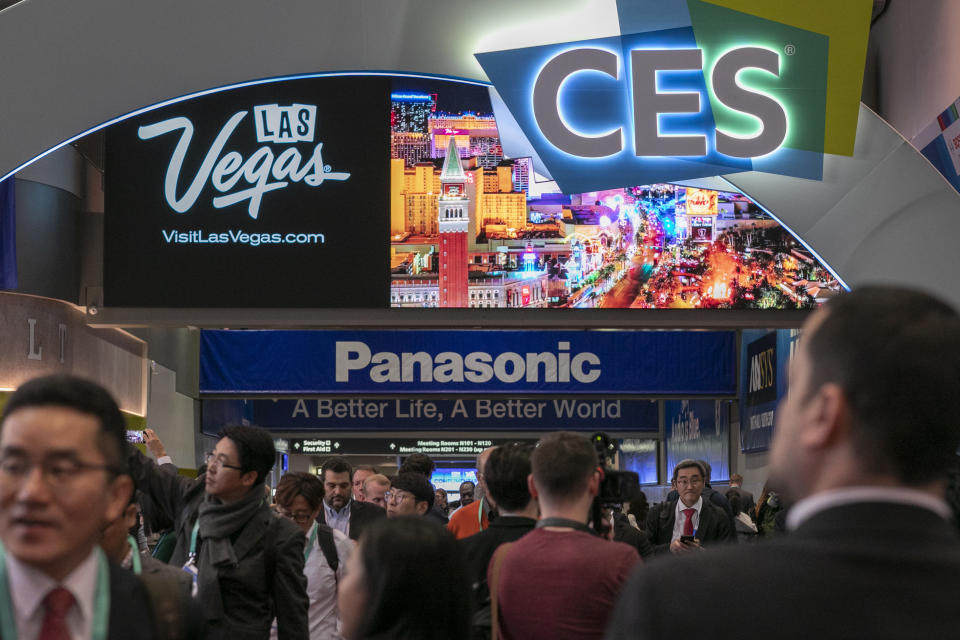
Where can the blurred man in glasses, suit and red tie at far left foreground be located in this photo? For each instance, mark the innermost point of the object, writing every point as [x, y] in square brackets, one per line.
[62, 479]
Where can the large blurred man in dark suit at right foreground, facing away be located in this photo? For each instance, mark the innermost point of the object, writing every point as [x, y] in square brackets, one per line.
[861, 446]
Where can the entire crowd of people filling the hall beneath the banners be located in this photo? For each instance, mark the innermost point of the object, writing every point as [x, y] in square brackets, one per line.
[854, 536]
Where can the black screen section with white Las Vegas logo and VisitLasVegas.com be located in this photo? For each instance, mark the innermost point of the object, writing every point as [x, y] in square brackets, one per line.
[271, 194]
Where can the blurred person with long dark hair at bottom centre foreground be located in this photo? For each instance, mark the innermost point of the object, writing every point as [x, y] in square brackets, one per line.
[406, 580]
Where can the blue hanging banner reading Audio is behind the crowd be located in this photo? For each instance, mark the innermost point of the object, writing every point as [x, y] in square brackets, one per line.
[698, 429]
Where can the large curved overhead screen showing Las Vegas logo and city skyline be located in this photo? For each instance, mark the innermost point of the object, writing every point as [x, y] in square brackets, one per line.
[358, 191]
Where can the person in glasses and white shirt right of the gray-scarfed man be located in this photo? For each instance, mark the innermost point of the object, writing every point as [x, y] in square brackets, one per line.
[299, 496]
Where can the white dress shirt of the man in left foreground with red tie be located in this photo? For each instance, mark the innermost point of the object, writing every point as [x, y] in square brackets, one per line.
[29, 587]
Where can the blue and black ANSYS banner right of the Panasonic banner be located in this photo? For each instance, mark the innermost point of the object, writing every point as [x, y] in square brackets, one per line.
[764, 358]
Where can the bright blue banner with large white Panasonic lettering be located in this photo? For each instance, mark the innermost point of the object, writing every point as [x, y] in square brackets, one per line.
[479, 362]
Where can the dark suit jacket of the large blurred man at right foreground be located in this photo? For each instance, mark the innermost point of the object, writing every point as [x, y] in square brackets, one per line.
[868, 570]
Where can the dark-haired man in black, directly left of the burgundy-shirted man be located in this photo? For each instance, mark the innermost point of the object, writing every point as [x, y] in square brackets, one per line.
[506, 473]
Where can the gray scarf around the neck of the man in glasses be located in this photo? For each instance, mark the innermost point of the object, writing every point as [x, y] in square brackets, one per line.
[218, 522]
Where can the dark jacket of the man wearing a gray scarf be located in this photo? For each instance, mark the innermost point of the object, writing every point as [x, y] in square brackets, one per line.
[251, 598]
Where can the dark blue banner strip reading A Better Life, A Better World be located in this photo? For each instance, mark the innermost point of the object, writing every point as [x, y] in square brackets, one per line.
[410, 413]
